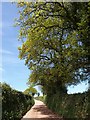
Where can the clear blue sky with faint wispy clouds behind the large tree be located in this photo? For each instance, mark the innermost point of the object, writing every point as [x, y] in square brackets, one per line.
[14, 72]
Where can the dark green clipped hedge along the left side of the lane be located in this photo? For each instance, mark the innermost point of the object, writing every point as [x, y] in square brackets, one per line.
[15, 104]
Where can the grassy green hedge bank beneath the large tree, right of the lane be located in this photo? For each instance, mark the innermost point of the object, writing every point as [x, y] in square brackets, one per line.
[70, 106]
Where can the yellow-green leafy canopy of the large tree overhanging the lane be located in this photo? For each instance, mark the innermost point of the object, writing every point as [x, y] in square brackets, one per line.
[55, 42]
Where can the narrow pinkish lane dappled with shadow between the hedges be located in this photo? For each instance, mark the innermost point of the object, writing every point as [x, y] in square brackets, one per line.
[40, 112]
